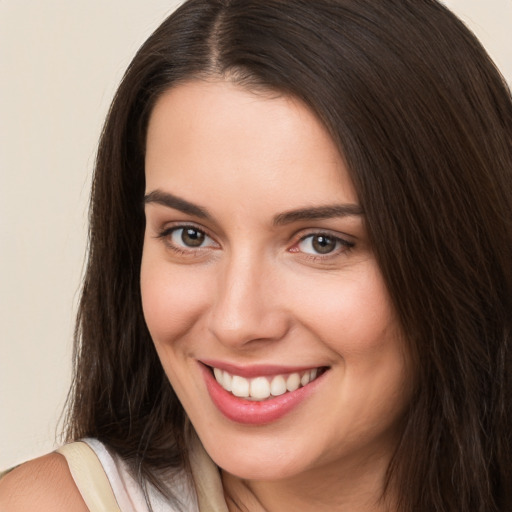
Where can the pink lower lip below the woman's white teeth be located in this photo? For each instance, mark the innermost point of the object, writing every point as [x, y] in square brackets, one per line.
[249, 412]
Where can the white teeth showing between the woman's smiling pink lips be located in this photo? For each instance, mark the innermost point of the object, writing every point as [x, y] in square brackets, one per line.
[262, 388]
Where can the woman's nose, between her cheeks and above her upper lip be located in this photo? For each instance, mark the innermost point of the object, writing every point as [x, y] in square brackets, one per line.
[247, 306]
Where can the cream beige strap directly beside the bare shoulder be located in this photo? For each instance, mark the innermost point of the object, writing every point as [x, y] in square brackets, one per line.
[90, 477]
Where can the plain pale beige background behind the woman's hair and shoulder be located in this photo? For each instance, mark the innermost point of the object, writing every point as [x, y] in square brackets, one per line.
[60, 62]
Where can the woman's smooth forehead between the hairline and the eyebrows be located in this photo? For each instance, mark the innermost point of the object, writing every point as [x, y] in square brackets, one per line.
[218, 139]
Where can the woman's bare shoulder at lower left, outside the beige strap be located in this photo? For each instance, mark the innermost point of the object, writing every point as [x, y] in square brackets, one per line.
[44, 484]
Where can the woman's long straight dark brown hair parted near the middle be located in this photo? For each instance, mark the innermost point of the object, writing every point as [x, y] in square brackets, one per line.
[424, 121]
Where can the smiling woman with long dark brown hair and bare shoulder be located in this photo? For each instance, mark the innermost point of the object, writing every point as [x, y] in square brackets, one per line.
[300, 261]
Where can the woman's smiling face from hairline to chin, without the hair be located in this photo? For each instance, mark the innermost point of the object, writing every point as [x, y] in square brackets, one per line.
[257, 272]
